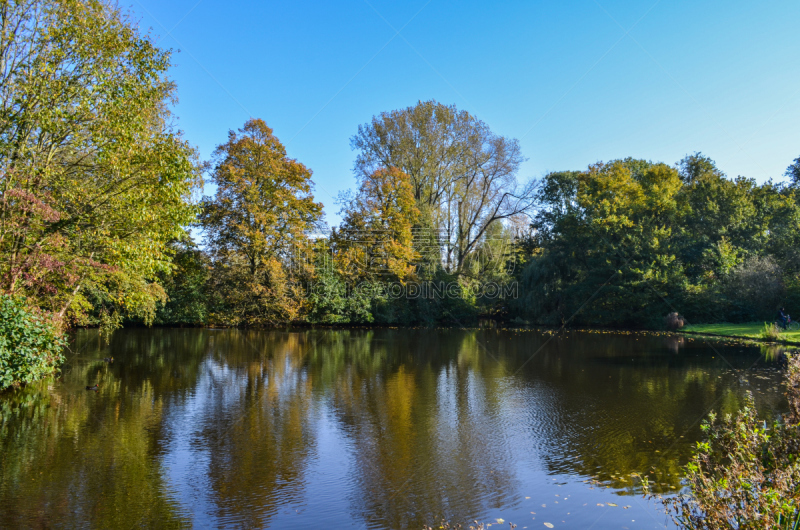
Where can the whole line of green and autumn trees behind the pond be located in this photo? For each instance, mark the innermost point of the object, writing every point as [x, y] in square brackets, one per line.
[96, 203]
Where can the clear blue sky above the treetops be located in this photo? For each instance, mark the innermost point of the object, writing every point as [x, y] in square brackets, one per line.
[575, 82]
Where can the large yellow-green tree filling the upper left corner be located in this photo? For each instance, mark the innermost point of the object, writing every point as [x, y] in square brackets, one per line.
[95, 181]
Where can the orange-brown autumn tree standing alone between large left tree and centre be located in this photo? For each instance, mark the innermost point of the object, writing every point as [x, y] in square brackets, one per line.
[257, 226]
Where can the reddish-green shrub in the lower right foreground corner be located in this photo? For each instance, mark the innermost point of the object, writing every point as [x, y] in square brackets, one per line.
[745, 475]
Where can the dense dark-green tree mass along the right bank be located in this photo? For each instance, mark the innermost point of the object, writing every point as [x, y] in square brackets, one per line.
[624, 242]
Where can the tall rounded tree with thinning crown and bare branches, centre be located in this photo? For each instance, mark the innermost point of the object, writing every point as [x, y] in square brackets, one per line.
[462, 174]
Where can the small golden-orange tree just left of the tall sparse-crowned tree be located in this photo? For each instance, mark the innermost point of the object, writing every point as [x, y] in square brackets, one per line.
[375, 238]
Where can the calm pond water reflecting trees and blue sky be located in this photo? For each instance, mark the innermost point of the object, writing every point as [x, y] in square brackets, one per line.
[366, 428]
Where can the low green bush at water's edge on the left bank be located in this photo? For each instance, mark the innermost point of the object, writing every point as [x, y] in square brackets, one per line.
[30, 345]
